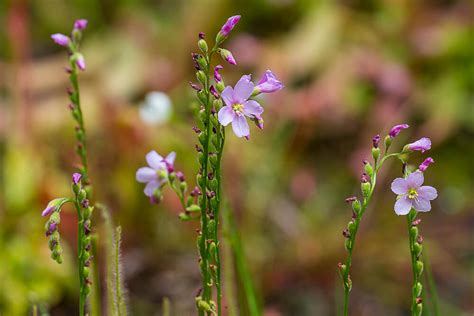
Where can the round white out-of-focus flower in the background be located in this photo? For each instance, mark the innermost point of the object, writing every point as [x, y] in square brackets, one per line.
[156, 109]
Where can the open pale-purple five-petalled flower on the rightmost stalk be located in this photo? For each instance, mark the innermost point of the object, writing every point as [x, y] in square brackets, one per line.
[412, 195]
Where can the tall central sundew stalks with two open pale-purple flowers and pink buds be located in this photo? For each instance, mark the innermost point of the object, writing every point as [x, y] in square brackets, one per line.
[220, 105]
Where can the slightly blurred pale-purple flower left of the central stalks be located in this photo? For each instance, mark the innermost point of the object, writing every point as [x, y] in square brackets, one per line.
[157, 172]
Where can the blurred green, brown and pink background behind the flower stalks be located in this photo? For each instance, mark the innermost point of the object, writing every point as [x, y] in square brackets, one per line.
[352, 69]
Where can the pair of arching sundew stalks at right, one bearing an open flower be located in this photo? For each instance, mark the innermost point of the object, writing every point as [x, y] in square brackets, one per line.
[412, 198]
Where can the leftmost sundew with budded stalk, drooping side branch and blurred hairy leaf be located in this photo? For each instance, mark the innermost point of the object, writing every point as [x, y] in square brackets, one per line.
[82, 190]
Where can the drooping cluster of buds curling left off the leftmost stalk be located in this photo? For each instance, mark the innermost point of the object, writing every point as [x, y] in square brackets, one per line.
[53, 210]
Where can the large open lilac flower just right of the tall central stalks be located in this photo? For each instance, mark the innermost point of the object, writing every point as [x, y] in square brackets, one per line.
[237, 106]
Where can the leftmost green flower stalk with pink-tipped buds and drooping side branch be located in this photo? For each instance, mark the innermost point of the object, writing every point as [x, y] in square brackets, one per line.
[80, 181]
